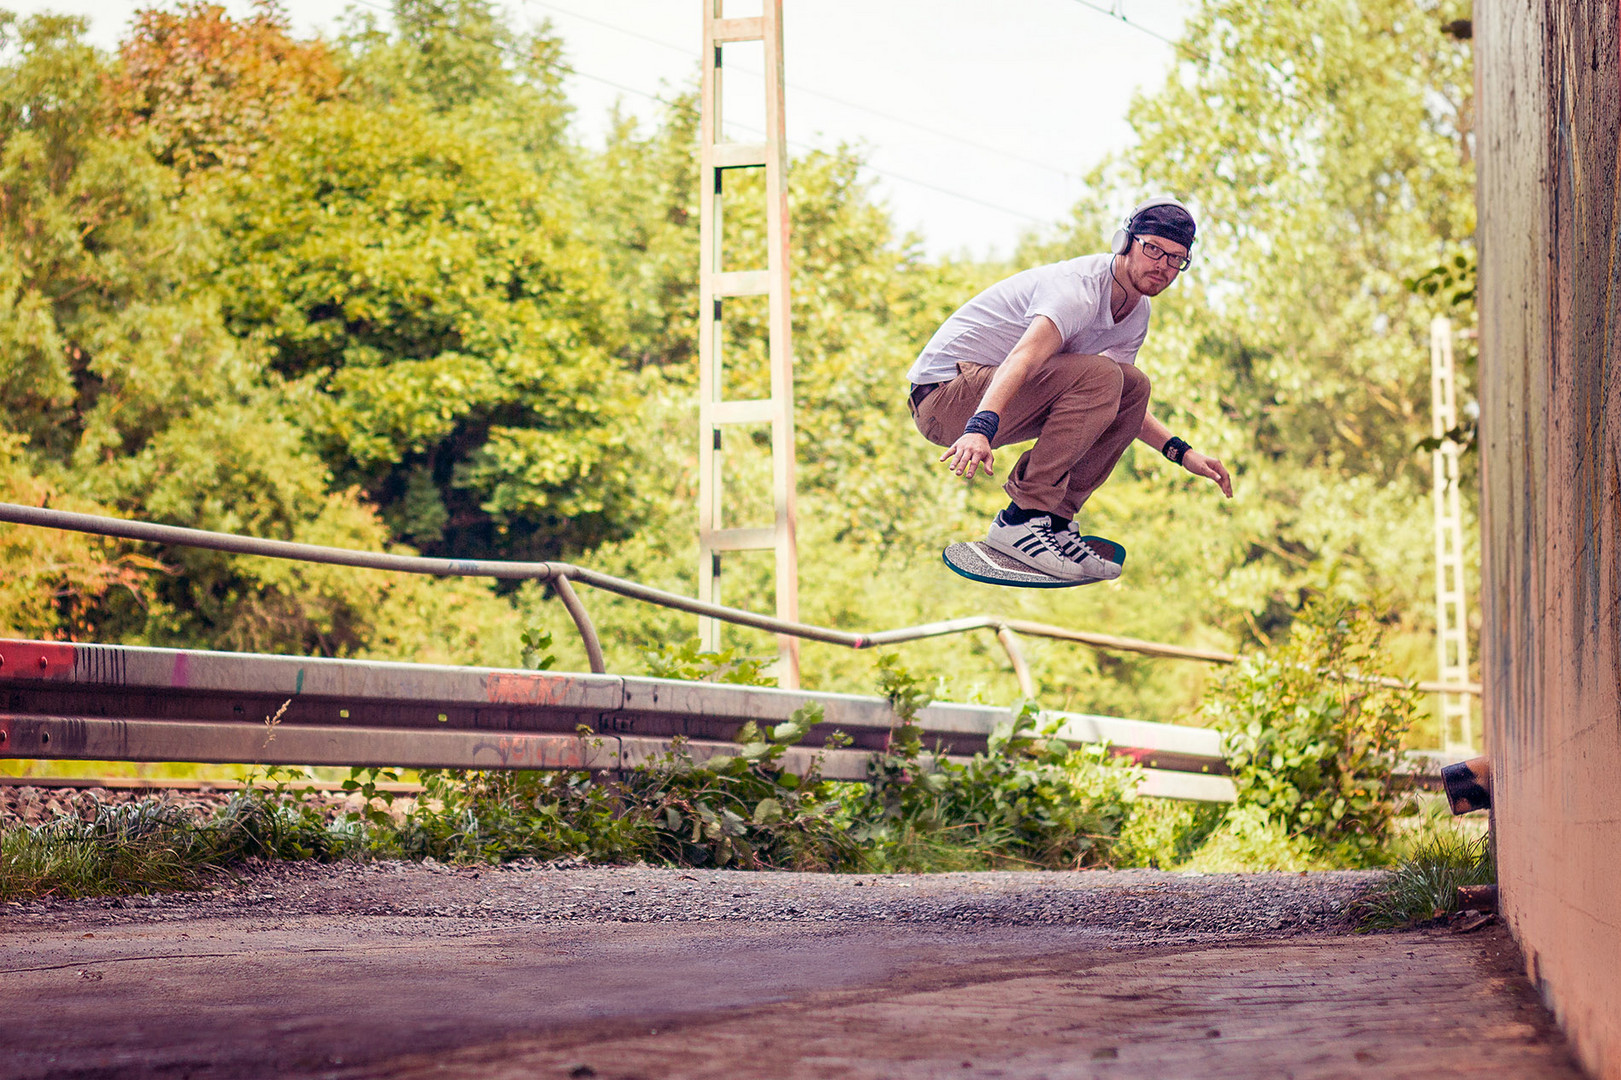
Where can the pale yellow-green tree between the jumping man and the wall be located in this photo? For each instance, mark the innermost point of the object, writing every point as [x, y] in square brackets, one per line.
[1327, 150]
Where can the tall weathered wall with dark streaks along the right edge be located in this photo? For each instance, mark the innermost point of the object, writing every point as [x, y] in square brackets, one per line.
[1550, 302]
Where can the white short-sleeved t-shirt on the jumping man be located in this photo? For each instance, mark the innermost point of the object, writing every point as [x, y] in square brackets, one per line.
[1074, 294]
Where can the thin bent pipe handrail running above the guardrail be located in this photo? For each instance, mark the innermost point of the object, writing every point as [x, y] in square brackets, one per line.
[560, 575]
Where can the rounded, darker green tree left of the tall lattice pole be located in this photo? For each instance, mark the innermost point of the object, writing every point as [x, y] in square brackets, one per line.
[419, 281]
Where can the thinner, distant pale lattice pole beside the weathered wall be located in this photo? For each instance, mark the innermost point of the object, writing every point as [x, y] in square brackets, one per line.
[1452, 607]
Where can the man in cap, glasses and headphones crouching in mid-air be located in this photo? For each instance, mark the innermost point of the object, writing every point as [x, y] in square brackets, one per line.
[1051, 354]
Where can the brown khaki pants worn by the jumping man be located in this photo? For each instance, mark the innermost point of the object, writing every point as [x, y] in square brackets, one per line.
[1082, 411]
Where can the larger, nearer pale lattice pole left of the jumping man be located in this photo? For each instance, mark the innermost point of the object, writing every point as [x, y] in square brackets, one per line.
[716, 285]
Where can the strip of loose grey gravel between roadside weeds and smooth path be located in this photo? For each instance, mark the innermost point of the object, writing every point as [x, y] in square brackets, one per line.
[1157, 904]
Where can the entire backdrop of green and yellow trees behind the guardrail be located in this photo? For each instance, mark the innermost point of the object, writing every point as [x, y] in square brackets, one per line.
[375, 293]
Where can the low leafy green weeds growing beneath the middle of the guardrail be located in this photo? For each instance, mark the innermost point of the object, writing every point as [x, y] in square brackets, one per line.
[1029, 800]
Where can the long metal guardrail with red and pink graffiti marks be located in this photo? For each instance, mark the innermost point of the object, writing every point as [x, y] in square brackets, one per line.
[122, 703]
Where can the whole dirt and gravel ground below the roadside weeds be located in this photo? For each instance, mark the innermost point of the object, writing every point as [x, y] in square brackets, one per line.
[421, 972]
